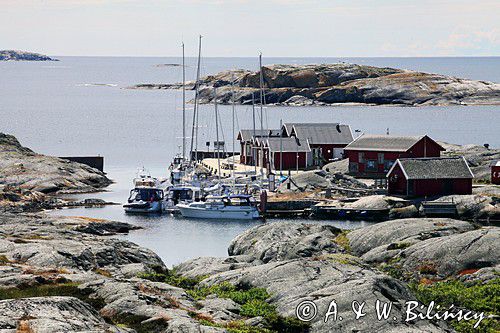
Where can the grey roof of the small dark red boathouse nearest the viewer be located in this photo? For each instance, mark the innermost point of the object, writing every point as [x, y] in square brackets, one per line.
[434, 168]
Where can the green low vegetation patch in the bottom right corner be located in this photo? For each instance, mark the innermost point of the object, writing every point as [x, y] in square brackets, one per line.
[474, 296]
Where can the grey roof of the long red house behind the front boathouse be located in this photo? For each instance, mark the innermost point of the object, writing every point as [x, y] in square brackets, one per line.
[384, 143]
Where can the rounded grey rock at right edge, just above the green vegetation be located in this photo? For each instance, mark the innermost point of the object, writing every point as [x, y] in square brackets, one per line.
[433, 248]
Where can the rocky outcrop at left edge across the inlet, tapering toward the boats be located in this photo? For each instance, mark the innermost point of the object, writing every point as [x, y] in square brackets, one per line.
[25, 176]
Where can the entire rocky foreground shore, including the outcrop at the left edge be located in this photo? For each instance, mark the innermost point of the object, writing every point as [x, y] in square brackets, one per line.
[61, 274]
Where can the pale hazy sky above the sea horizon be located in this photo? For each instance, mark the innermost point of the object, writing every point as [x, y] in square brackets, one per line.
[244, 27]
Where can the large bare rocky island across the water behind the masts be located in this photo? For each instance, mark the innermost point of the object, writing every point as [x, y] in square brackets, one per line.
[341, 83]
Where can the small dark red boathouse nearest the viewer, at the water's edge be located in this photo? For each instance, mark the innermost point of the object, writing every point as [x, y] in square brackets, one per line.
[420, 177]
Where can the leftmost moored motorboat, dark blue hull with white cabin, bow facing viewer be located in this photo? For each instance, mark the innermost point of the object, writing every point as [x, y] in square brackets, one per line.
[146, 196]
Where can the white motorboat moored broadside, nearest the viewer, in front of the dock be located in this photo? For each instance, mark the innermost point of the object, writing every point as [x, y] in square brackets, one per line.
[235, 207]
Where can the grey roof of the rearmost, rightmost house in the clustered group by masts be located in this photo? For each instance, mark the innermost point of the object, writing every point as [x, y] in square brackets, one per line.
[321, 133]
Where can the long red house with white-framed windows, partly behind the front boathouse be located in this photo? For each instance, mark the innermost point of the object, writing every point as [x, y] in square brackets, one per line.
[371, 156]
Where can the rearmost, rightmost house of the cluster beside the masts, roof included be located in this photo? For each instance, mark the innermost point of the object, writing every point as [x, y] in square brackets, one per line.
[327, 140]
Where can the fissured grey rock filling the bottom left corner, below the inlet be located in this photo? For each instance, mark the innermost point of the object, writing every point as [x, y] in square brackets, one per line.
[86, 282]
